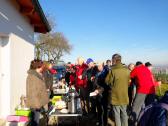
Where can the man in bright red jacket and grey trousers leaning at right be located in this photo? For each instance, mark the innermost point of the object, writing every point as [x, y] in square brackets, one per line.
[145, 88]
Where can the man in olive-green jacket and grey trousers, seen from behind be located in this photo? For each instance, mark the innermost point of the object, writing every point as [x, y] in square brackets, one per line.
[118, 79]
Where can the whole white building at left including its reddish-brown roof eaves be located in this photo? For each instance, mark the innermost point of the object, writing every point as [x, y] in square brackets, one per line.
[19, 19]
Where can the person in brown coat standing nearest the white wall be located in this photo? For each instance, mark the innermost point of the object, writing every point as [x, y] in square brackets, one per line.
[36, 91]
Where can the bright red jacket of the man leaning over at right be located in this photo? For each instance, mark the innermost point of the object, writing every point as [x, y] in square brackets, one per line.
[144, 80]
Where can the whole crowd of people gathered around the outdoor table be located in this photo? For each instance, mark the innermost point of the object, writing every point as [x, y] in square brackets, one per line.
[101, 86]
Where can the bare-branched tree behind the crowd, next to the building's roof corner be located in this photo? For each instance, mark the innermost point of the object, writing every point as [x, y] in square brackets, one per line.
[53, 46]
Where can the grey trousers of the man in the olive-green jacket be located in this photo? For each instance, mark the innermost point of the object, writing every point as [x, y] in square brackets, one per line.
[120, 114]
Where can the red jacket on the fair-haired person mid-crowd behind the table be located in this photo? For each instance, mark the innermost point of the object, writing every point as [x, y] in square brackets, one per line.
[79, 72]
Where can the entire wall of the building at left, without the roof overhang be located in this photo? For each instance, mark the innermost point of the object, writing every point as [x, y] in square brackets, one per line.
[17, 54]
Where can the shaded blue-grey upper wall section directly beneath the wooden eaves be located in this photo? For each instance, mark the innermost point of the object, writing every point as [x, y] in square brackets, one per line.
[11, 21]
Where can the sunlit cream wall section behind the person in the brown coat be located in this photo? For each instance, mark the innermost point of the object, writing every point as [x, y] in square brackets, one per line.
[22, 52]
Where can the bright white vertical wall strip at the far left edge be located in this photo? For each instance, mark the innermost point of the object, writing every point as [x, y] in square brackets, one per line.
[4, 76]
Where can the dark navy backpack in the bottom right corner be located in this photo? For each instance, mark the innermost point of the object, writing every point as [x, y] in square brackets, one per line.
[155, 114]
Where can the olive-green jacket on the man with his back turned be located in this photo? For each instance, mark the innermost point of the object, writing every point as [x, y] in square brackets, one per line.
[118, 79]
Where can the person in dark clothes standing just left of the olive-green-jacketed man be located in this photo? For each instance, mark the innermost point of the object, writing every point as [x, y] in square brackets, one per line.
[101, 89]
